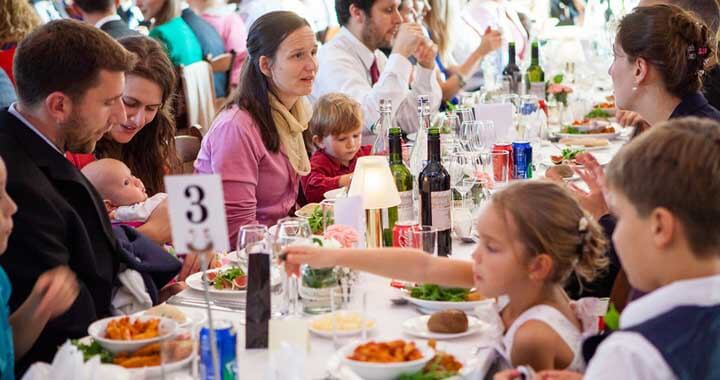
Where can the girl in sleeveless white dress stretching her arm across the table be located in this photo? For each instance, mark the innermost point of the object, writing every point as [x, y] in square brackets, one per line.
[532, 236]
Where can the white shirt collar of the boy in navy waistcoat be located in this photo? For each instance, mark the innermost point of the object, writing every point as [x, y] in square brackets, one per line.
[704, 291]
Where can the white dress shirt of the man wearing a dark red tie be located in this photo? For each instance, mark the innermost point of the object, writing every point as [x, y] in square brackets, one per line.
[345, 67]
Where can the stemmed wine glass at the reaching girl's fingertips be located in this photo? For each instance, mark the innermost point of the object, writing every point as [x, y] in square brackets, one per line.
[291, 231]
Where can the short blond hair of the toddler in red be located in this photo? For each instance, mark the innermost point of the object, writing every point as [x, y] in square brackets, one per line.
[334, 114]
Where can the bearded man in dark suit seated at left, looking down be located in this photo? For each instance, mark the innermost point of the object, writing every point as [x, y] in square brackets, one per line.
[70, 79]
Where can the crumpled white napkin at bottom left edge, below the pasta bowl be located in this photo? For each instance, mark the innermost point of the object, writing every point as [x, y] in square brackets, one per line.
[68, 364]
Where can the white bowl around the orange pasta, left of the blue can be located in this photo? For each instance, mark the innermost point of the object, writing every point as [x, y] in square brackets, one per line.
[97, 331]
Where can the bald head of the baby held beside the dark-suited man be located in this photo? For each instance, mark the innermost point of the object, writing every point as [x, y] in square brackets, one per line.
[115, 183]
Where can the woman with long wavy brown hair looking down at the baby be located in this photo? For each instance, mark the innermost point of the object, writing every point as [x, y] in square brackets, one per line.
[145, 142]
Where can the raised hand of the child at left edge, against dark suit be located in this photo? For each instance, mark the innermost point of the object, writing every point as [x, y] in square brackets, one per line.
[54, 292]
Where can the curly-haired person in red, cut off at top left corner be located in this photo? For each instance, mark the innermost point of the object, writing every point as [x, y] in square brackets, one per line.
[17, 20]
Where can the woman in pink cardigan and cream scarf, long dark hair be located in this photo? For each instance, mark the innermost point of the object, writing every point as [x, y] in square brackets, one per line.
[256, 142]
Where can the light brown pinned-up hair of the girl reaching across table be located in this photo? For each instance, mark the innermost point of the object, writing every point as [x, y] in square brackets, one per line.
[549, 220]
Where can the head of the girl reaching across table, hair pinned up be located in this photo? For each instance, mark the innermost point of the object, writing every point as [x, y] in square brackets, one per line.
[534, 233]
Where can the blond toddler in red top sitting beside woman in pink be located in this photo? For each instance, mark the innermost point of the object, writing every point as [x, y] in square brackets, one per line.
[336, 128]
